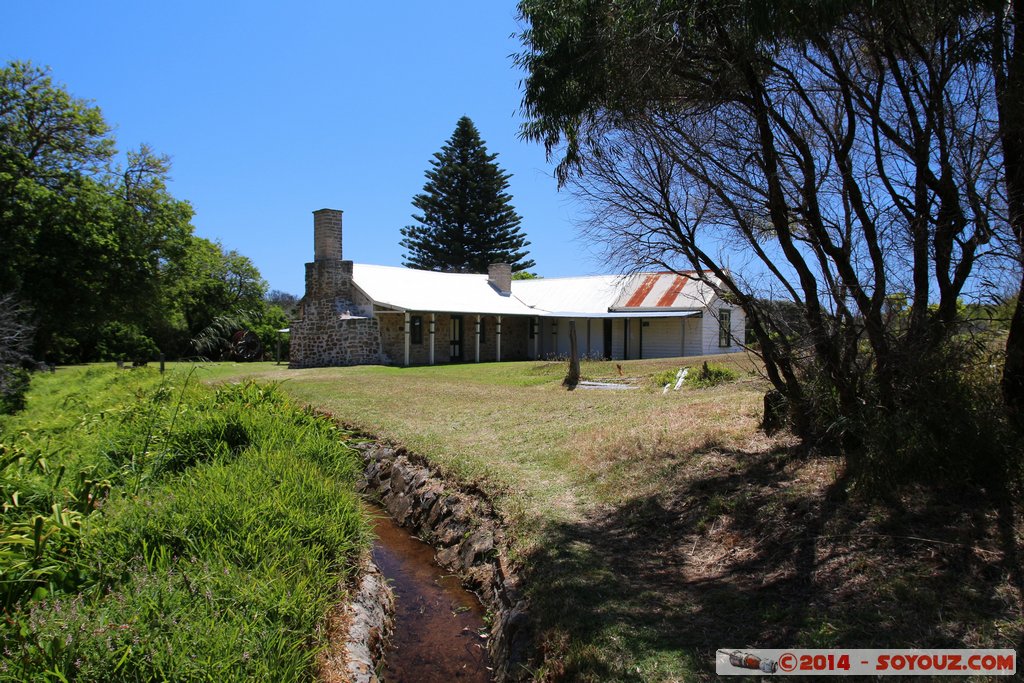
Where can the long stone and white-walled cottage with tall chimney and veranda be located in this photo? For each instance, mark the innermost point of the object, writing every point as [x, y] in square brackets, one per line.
[356, 315]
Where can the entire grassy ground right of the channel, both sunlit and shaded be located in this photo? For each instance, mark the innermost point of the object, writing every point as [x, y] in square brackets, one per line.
[656, 529]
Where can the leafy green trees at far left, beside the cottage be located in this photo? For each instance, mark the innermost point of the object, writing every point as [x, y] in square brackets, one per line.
[100, 257]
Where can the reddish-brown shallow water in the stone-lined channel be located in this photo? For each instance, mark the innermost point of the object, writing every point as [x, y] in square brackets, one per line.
[438, 624]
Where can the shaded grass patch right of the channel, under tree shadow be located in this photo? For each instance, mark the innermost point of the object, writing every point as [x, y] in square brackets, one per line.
[761, 550]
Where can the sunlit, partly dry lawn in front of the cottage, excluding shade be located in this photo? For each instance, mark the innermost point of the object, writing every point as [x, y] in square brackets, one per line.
[510, 429]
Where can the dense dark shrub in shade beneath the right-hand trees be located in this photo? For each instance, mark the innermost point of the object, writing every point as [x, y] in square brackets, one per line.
[931, 423]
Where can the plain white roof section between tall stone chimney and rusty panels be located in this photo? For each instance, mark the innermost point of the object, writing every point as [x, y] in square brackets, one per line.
[407, 289]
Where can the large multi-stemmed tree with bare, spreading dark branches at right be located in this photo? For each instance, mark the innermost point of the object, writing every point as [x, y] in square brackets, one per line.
[841, 157]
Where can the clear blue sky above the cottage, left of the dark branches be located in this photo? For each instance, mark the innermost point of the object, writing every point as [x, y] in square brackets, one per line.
[271, 111]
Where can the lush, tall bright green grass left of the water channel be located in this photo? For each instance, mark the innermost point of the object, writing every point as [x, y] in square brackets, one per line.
[210, 548]
